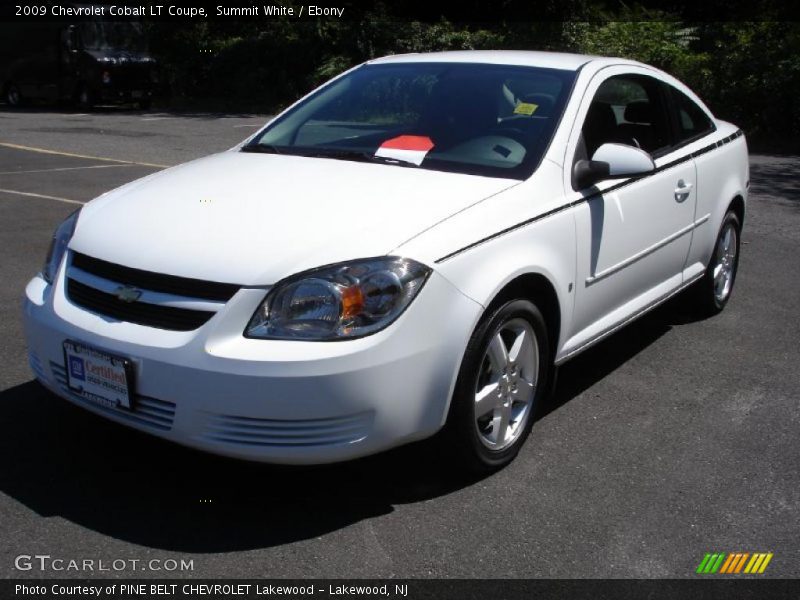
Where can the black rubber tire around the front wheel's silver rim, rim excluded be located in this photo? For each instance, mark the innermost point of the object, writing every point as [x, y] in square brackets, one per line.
[461, 422]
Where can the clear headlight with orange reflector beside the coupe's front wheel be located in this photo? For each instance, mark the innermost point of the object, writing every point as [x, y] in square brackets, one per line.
[341, 301]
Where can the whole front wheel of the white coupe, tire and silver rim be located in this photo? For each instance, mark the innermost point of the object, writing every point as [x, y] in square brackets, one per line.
[496, 397]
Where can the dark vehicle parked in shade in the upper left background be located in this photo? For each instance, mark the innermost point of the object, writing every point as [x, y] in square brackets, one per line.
[87, 63]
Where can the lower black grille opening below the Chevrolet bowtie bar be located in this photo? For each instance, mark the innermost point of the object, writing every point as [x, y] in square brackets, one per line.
[142, 313]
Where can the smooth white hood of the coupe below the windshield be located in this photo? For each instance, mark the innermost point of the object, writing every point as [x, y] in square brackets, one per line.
[252, 219]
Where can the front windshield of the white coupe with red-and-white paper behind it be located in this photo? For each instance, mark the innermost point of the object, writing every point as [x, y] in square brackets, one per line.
[480, 119]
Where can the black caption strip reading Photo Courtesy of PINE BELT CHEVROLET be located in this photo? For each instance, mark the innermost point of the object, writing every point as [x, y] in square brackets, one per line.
[401, 589]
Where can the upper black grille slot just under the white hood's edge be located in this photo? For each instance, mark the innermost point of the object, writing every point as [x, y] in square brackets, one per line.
[155, 282]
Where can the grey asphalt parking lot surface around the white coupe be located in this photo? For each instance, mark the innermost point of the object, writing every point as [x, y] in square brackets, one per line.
[673, 438]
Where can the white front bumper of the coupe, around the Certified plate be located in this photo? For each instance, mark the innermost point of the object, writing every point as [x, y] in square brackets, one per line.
[276, 401]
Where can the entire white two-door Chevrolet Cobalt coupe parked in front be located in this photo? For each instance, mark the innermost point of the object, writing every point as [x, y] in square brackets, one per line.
[414, 246]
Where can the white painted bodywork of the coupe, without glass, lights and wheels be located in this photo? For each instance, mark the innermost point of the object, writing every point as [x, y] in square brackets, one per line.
[608, 255]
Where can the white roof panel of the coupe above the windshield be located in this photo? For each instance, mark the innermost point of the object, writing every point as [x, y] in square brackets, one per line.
[528, 58]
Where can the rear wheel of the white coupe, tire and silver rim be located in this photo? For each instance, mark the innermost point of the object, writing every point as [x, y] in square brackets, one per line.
[712, 292]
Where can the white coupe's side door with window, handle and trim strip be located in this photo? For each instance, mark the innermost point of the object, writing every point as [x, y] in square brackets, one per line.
[633, 234]
